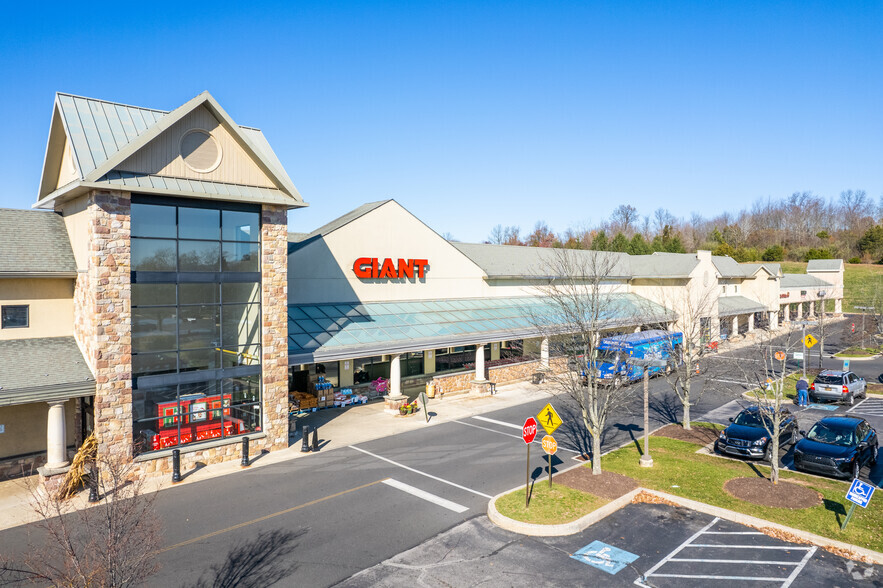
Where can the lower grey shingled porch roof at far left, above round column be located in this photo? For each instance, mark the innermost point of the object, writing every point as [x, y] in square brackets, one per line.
[44, 369]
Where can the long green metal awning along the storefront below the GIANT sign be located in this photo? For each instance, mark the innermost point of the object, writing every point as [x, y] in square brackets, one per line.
[322, 332]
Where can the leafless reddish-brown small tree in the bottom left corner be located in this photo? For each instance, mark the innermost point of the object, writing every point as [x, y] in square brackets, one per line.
[111, 544]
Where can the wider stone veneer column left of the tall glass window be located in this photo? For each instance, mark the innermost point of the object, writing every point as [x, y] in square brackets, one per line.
[103, 317]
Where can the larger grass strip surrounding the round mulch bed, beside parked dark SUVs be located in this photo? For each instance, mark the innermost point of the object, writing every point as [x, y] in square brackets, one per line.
[679, 470]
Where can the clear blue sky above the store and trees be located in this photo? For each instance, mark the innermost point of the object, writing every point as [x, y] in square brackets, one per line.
[478, 113]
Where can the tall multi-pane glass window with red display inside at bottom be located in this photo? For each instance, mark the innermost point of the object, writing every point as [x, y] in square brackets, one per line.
[195, 321]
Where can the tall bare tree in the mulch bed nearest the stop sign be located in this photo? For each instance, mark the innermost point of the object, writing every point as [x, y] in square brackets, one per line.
[579, 305]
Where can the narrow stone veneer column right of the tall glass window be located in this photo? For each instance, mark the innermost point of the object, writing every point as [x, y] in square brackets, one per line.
[274, 324]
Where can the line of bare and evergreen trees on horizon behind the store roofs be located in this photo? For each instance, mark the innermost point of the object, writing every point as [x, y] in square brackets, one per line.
[801, 227]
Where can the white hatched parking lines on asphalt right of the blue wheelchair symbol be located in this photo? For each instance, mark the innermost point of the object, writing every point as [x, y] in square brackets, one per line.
[707, 573]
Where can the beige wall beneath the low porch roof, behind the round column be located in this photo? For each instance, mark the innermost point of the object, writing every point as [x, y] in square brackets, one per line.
[25, 426]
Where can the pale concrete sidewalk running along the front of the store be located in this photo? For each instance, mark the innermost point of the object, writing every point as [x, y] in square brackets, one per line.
[338, 427]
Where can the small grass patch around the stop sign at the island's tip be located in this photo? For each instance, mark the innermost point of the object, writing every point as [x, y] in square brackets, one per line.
[561, 504]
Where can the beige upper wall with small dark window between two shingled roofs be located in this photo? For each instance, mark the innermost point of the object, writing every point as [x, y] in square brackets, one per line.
[51, 301]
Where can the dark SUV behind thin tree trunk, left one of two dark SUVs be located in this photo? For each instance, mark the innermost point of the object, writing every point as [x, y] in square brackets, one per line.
[748, 436]
